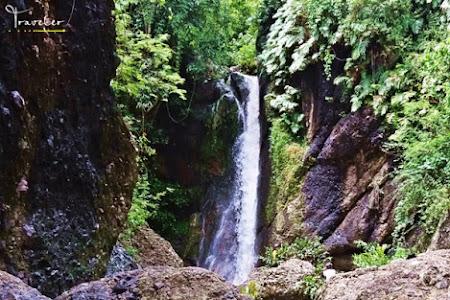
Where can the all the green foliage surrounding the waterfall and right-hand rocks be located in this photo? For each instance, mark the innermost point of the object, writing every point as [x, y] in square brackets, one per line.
[397, 59]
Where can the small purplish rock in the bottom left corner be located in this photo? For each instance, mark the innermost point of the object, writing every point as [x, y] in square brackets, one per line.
[13, 288]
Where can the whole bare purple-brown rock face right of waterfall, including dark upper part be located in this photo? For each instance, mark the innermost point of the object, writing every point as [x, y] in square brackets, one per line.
[347, 193]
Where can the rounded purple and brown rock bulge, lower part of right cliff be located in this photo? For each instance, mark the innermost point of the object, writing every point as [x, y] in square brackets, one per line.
[343, 191]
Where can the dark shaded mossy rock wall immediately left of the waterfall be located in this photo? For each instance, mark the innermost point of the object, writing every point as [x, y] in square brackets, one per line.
[196, 152]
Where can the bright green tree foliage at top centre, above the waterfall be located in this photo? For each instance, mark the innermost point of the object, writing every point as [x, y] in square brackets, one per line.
[207, 36]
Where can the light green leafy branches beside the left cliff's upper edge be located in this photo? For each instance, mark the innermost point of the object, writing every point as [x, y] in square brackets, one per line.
[144, 78]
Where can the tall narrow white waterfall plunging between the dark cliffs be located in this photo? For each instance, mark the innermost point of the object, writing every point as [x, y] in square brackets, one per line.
[232, 251]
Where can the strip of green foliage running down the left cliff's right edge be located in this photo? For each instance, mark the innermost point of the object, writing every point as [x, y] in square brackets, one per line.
[144, 81]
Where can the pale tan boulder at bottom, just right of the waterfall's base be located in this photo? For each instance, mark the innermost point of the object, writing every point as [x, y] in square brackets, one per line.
[283, 282]
